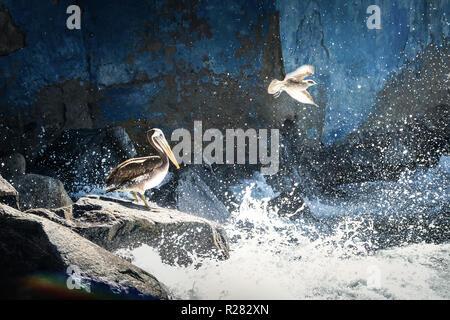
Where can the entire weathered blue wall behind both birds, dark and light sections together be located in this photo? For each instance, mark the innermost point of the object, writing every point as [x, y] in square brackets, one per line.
[167, 63]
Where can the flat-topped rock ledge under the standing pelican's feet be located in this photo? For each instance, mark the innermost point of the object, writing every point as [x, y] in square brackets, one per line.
[116, 224]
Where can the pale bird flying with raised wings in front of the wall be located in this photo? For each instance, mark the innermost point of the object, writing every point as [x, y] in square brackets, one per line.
[295, 85]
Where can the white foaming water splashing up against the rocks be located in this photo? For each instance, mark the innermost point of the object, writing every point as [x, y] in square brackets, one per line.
[273, 258]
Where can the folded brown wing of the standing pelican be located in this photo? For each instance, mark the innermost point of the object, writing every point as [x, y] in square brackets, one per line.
[132, 168]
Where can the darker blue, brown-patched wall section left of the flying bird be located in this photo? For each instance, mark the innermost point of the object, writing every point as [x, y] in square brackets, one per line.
[138, 64]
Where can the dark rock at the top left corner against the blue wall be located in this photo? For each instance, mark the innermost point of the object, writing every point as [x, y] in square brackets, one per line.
[12, 38]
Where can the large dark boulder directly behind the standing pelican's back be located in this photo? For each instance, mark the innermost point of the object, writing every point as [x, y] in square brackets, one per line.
[85, 157]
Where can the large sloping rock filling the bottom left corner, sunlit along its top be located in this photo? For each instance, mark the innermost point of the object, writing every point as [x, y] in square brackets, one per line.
[38, 257]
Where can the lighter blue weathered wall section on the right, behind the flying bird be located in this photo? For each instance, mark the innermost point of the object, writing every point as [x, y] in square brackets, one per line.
[354, 63]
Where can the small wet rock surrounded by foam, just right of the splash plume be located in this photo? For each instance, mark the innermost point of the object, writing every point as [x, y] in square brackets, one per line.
[291, 205]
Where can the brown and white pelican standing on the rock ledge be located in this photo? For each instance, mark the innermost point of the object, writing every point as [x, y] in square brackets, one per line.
[139, 174]
